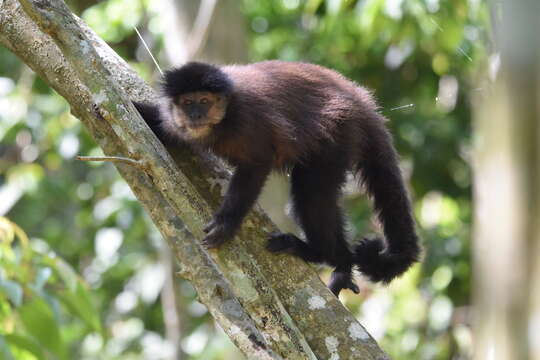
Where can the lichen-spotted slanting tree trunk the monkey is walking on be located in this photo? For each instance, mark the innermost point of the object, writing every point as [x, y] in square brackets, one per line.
[271, 306]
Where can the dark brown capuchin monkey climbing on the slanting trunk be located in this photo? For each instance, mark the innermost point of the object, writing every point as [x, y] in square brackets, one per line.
[305, 119]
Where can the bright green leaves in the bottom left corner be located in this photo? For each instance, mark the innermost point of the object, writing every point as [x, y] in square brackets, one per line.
[34, 286]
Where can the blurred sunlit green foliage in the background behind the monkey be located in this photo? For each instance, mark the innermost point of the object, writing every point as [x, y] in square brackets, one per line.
[88, 266]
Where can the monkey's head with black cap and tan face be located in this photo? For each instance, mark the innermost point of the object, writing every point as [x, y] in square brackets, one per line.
[198, 95]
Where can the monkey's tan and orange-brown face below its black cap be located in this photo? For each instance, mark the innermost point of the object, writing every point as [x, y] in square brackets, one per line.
[196, 113]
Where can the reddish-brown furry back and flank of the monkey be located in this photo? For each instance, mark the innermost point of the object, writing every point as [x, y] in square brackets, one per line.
[294, 110]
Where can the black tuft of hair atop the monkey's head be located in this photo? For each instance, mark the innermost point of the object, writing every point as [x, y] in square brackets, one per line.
[195, 77]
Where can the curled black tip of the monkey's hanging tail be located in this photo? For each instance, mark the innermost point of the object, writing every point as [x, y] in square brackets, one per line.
[378, 265]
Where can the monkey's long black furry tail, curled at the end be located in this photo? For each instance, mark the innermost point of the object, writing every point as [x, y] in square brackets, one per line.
[384, 259]
